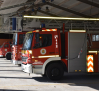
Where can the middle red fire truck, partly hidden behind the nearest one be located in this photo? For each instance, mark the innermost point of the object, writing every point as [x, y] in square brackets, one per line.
[16, 47]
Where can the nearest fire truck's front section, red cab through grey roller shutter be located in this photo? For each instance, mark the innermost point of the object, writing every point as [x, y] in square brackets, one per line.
[51, 53]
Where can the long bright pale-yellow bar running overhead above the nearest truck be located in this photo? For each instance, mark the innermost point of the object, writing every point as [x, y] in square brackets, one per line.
[62, 18]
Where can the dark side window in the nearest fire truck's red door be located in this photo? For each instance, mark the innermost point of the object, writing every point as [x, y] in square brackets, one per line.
[43, 40]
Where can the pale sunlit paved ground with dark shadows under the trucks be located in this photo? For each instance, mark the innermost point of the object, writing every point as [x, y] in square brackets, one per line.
[12, 78]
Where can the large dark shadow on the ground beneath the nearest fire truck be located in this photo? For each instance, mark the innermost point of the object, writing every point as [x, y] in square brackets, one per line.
[72, 79]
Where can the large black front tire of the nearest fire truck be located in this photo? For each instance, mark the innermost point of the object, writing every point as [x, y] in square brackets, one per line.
[54, 71]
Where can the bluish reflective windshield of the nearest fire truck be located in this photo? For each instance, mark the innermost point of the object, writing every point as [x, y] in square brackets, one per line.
[27, 41]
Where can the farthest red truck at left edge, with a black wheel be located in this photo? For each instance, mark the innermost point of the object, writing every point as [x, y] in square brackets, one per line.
[5, 50]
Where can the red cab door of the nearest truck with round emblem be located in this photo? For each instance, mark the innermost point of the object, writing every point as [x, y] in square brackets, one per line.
[44, 47]
